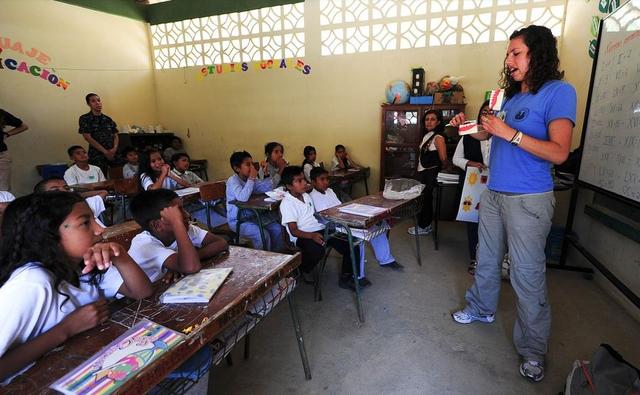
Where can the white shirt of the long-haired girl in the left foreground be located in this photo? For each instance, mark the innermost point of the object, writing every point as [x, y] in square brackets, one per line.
[31, 305]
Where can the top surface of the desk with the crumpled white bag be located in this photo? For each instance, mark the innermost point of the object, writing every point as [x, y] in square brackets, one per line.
[357, 221]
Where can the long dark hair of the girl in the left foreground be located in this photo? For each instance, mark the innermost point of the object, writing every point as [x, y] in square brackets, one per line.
[30, 233]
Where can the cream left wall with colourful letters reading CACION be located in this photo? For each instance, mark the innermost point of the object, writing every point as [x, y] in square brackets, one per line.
[94, 52]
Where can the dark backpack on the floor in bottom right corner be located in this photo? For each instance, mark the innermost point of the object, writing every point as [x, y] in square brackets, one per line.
[606, 374]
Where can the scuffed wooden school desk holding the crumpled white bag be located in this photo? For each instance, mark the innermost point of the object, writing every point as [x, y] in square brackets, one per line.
[395, 209]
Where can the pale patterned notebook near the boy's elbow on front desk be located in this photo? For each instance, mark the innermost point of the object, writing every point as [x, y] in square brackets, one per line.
[196, 288]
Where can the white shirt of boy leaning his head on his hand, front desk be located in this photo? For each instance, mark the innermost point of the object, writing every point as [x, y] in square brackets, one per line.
[150, 253]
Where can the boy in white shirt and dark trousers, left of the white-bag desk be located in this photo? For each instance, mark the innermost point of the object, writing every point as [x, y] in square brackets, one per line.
[304, 229]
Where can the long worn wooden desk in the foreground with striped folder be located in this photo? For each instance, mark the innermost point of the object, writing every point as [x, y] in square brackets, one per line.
[254, 273]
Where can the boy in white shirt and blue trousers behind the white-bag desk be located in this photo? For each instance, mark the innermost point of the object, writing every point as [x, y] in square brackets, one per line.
[323, 198]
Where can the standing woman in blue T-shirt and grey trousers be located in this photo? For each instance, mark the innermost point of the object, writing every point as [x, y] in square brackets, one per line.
[540, 113]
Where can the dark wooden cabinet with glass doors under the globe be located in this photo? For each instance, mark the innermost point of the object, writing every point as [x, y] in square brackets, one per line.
[401, 133]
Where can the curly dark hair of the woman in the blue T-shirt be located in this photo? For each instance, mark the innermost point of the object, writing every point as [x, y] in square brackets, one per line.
[543, 60]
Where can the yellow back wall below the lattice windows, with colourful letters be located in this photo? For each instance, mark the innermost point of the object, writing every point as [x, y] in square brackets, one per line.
[338, 102]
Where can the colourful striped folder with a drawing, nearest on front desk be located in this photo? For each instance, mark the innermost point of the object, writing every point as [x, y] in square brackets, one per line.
[120, 361]
